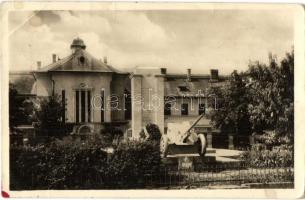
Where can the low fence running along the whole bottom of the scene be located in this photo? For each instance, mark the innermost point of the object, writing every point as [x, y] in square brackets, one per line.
[205, 176]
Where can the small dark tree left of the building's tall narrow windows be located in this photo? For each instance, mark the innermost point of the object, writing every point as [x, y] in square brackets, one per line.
[49, 116]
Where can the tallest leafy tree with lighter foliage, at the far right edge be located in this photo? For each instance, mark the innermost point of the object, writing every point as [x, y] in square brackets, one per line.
[271, 89]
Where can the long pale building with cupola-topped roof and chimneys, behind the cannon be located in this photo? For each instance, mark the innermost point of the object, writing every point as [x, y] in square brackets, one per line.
[94, 93]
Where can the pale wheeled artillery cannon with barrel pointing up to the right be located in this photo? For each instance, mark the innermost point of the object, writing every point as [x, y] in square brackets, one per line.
[183, 134]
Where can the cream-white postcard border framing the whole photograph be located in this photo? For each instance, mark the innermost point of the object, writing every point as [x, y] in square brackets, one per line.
[238, 193]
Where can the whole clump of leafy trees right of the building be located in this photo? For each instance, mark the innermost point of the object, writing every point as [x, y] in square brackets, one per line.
[258, 100]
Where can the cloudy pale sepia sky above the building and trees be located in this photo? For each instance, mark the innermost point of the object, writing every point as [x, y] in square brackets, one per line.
[176, 39]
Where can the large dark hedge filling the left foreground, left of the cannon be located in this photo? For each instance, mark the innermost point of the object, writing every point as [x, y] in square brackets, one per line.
[82, 165]
